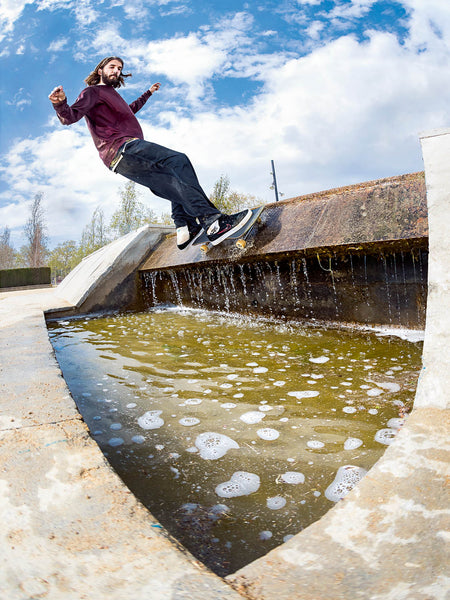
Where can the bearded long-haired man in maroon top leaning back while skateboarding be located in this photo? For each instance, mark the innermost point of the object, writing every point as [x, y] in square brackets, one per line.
[120, 142]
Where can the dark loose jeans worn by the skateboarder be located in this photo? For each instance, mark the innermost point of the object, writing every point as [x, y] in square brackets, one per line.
[170, 175]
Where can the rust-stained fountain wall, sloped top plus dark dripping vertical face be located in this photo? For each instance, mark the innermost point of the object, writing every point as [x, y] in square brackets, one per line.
[356, 254]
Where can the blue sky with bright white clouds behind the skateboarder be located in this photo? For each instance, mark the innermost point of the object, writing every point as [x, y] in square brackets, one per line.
[335, 92]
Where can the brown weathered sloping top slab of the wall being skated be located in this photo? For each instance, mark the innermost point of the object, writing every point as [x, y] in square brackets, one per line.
[382, 212]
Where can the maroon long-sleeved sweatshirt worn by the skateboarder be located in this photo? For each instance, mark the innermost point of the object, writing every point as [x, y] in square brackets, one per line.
[109, 118]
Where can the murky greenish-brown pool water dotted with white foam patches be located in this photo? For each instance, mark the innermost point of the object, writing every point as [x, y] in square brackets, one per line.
[235, 432]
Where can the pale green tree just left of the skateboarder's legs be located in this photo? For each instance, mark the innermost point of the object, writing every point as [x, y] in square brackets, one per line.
[131, 214]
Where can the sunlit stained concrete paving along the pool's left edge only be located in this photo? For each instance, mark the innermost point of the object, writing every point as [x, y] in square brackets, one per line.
[70, 527]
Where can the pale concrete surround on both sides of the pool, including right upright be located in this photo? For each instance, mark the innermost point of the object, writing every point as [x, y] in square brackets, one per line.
[72, 530]
